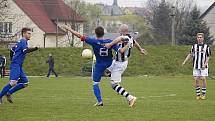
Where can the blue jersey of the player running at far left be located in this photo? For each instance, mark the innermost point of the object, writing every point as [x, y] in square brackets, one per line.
[19, 52]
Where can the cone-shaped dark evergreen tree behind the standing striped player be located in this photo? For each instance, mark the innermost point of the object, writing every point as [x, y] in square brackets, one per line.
[193, 26]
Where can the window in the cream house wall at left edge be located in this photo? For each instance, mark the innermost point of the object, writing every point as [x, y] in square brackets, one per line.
[5, 27]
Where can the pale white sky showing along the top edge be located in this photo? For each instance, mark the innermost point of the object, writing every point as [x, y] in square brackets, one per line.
[203, 4]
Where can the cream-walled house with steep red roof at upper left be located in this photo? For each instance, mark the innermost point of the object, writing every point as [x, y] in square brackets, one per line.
[43, 16]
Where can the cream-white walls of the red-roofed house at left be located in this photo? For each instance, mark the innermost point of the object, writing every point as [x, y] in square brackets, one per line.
[19, 20]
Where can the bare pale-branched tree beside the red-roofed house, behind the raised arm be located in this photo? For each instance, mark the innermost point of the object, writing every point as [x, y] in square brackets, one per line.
[90, 13]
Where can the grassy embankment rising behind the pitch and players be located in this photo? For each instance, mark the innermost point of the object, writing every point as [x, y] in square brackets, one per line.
[162, 60]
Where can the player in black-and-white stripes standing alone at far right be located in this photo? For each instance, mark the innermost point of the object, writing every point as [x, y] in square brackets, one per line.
[200, 52]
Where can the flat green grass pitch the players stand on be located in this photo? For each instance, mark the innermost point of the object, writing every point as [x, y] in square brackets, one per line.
[70, 99]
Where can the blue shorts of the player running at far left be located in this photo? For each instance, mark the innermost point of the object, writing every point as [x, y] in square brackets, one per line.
[16, 73]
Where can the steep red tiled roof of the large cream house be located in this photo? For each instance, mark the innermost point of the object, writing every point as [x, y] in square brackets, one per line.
[44, 12]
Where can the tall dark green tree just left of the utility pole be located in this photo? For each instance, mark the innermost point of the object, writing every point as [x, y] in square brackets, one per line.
[161, 22]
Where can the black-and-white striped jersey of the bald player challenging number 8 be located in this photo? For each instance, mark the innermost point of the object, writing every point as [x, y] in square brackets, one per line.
[124, 56]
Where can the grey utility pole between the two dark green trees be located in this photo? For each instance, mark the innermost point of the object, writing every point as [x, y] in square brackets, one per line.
[173, 24]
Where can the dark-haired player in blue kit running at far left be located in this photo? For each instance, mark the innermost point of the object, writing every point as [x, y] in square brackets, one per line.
[18, 78]
